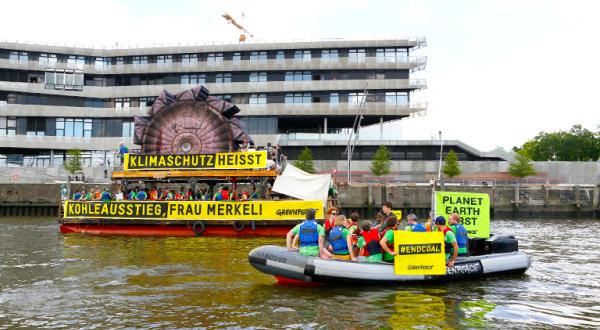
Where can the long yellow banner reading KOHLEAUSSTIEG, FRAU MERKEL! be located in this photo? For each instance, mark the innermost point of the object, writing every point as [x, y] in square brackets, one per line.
[192, 210]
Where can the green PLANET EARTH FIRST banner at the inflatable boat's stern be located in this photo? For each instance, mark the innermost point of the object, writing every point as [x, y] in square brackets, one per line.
[473, 208]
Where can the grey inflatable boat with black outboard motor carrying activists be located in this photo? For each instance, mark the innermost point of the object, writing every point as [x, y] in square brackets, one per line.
[494, 256]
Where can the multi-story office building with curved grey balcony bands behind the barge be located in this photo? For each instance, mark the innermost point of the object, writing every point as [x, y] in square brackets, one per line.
[53, 99]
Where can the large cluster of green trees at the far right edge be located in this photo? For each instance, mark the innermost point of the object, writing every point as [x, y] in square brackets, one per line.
[577, 144]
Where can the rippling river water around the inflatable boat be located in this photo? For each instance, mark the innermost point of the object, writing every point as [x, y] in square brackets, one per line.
[48, 280]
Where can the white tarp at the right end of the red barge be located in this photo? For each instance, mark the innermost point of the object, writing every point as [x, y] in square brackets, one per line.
[296, 183]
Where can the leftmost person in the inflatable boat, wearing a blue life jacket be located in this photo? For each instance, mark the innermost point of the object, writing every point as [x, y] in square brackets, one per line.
[311, 235]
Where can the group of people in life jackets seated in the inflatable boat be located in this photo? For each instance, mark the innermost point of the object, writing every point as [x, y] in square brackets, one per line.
[366, 241]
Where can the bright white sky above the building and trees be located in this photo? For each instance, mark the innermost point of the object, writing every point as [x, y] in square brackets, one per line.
[498, 72]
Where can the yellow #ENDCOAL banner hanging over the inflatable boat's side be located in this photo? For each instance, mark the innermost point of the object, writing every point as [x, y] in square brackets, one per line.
[419, 253]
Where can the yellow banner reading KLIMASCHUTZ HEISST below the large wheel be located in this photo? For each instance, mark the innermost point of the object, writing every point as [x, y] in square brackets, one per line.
[221, 160]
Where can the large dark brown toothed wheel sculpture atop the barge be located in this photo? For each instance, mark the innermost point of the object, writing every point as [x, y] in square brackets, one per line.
[190, 122]
